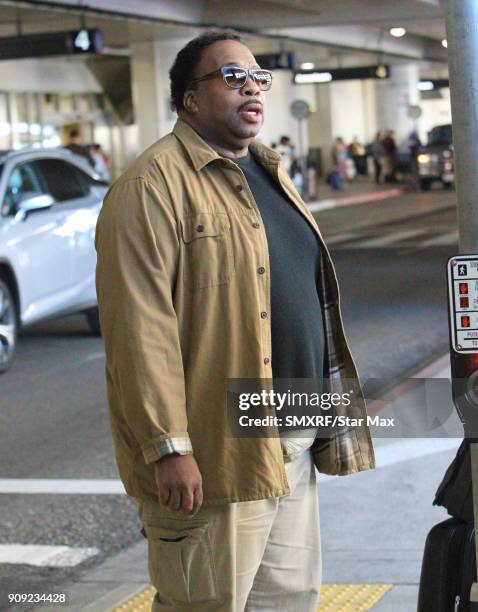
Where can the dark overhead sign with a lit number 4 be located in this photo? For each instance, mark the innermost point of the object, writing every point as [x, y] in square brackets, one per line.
[52, 43]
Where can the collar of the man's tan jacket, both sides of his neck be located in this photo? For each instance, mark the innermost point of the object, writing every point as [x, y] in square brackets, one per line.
[201, 153]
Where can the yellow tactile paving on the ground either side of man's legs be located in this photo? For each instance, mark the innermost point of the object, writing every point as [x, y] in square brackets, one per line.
[333, 598]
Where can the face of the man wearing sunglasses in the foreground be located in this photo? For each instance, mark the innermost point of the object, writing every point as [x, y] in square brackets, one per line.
[224, 115]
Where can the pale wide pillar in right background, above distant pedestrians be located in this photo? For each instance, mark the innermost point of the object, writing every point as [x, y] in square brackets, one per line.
[393, 98]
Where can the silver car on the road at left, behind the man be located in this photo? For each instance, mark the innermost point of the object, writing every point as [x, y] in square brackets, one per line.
[49, 205]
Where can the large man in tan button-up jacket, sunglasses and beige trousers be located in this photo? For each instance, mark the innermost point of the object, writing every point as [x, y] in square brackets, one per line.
[193, 291]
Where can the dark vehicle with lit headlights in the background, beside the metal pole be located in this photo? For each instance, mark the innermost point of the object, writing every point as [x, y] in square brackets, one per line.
[435, 161]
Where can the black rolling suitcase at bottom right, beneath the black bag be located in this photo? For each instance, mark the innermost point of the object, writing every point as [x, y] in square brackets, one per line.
[448, 568]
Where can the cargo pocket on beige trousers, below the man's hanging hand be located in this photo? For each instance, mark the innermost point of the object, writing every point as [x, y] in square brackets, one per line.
[181, 564]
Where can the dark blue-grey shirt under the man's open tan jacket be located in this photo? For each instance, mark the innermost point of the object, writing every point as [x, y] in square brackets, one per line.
[294, 253]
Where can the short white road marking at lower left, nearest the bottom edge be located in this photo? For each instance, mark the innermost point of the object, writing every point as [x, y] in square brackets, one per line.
[44, 556]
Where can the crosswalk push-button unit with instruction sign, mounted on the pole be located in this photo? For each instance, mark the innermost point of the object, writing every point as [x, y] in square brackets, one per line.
[463, 318]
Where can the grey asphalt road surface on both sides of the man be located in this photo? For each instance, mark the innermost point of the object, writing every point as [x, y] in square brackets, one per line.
[53, 413]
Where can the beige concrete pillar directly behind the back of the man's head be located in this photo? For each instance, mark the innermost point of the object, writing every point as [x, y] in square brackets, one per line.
[150, 64]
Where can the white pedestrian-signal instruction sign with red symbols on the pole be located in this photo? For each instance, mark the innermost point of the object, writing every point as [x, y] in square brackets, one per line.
[463, 302]
